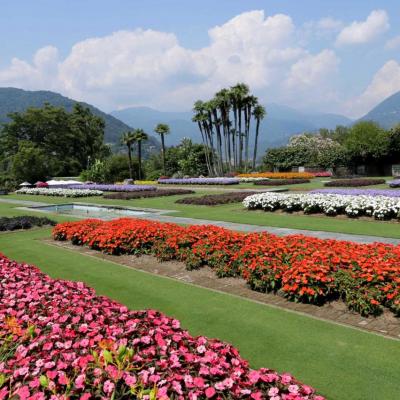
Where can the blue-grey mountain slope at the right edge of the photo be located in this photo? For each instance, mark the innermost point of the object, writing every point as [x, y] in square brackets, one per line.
[386, 113]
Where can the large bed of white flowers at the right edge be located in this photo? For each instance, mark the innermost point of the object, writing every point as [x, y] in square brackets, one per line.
[379, 207]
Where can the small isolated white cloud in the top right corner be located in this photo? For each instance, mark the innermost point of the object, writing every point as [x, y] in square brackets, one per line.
[365, 31]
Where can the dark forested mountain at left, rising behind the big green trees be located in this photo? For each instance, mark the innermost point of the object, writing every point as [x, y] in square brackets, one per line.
[18, 100]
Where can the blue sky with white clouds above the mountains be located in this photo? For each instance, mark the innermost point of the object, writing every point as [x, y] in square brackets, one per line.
[336, 56]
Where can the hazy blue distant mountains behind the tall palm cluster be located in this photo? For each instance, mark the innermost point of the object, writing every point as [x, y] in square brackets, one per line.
[281, 123]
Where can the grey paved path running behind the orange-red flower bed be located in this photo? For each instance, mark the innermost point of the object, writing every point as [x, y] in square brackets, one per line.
[159, 215]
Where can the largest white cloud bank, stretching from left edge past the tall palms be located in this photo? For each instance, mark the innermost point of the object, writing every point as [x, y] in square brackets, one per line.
[147, 67]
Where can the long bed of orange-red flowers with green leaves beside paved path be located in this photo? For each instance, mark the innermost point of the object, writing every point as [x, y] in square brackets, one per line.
[305, 269]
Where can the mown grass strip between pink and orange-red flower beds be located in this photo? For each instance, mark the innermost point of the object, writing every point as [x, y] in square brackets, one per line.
[341, 362]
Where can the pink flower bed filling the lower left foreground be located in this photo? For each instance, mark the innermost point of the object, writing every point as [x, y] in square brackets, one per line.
[59, 340]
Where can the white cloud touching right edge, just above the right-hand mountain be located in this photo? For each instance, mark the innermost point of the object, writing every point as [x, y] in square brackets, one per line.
[385, 82]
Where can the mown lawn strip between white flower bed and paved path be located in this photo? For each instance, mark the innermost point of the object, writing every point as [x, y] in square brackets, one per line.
[236, 213]
